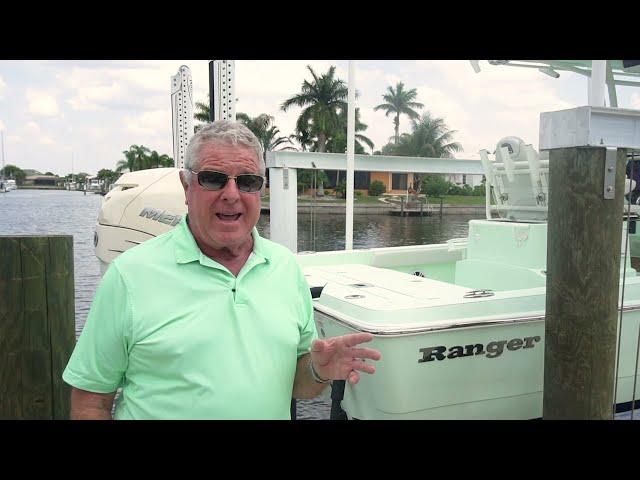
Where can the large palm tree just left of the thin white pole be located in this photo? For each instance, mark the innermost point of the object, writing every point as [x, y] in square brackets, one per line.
[322, 99]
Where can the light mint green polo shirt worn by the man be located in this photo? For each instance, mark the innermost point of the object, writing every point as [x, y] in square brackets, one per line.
[186, 339]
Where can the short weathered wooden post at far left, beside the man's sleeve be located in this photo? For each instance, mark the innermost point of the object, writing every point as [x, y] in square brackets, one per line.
[37, 325]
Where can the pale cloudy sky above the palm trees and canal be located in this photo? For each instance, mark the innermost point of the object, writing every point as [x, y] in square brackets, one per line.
[59, 115]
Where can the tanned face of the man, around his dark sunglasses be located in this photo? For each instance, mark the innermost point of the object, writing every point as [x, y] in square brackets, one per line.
[223, 218]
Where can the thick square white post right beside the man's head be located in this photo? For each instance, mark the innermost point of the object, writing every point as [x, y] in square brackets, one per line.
[283, 205]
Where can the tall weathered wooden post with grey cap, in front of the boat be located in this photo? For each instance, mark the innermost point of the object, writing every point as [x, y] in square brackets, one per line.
[585, 205]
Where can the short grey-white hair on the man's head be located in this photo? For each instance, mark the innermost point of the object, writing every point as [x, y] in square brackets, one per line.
[222, 131]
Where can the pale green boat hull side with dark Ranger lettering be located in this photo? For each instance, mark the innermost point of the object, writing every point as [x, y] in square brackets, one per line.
[424, 376]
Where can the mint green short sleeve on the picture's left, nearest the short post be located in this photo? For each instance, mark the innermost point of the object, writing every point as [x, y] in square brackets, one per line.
[100, 358]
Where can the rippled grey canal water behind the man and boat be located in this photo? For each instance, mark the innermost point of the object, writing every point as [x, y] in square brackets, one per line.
[43, 212]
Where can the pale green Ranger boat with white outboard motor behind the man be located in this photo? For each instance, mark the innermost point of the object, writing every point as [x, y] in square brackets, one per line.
[460, 325]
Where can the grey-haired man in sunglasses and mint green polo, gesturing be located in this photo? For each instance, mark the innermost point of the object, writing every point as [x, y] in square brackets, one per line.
[208, 320]
